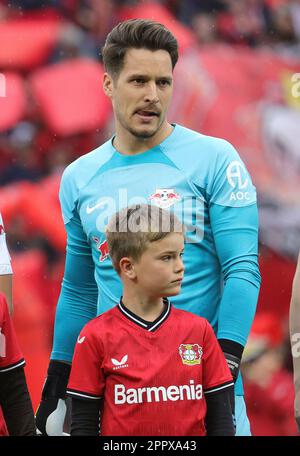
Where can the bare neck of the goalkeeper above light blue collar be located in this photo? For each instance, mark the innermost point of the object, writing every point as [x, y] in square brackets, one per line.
[128, 144]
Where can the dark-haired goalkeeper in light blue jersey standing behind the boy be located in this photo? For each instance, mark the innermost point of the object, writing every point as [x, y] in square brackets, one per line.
[201, 178]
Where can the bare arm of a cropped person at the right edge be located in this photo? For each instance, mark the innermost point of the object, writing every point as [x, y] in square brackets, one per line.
[295, 338]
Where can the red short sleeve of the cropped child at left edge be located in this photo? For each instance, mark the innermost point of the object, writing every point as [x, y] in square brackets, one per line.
[11, 356]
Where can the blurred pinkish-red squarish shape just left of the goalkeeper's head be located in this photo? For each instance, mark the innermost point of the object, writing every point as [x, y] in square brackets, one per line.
[70, 96]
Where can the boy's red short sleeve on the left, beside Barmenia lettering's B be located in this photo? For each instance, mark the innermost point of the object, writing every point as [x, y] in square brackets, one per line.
[87, 379]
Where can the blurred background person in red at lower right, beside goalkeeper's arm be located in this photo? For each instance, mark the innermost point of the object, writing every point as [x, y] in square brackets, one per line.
[269, 392]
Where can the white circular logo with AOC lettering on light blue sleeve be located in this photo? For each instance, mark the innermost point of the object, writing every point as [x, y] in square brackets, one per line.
[237, 177]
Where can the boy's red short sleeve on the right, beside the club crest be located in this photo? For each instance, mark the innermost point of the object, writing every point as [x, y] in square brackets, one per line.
[216, 373]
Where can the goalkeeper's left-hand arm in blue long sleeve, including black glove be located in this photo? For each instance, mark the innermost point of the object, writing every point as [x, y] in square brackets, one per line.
[76, 306]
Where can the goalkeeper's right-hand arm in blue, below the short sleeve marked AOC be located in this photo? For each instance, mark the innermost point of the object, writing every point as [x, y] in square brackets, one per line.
[236, 238]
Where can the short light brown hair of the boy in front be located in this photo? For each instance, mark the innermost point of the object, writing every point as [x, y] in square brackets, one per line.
[131, 230]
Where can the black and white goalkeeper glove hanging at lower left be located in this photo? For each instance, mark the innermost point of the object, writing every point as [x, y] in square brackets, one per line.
[50, 415]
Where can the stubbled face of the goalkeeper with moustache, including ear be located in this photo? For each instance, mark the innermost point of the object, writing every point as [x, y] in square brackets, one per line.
[142, 92]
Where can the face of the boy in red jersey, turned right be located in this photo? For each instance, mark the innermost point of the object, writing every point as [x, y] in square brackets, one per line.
[159, 271]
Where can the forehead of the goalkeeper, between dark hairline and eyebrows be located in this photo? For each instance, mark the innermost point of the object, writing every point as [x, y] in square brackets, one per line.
[141, 60]
